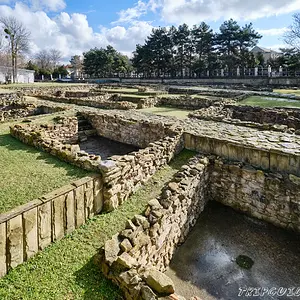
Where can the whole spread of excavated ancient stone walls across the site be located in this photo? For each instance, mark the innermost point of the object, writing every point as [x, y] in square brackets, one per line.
[248, 158]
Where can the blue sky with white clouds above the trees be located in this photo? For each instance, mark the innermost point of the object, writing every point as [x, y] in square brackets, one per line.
[74, 26]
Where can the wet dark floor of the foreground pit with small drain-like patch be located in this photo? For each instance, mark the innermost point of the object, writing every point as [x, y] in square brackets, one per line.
[205, 265]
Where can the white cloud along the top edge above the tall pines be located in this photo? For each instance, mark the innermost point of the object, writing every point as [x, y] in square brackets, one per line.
[195, 11]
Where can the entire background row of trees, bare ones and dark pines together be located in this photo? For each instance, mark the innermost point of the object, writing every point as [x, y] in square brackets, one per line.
[167, 51]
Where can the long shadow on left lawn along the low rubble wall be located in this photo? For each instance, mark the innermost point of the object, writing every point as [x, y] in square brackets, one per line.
[12, 144]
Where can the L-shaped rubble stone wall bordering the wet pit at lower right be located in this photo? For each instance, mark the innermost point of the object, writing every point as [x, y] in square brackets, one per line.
[136, 258]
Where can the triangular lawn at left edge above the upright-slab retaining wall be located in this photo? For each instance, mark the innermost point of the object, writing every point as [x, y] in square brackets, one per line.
[26, 173]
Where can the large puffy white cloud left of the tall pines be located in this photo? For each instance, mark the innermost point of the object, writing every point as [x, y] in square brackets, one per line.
[72, 34]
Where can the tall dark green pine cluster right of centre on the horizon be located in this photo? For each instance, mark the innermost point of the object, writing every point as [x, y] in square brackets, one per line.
[175, 51]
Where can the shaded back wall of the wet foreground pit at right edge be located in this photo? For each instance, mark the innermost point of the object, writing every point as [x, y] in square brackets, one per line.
[271, 197]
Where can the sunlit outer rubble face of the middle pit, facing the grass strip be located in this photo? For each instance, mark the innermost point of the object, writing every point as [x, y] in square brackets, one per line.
[122, 175]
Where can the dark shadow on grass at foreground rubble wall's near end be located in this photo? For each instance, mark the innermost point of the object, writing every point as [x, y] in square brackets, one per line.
[96, 286]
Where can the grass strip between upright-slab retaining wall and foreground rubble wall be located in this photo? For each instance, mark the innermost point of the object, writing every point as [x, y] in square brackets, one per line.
[66, 270]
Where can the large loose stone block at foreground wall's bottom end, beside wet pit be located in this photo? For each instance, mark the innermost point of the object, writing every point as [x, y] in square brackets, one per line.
[160, 282]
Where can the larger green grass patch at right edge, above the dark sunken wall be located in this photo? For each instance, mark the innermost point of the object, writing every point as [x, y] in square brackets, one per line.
[269, 102]
